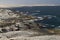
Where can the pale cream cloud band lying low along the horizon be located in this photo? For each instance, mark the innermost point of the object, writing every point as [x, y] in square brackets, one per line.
[20, 5]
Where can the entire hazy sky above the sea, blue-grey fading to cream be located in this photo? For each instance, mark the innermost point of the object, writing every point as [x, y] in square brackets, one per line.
[11, 3]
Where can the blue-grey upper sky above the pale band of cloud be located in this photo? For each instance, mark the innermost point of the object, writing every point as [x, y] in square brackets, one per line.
[29, 1]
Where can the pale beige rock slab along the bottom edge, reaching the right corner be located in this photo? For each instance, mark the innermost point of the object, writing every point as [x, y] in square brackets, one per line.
[46, 37]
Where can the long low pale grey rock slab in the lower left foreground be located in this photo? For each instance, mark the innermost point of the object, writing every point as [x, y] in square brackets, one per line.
[19, 33]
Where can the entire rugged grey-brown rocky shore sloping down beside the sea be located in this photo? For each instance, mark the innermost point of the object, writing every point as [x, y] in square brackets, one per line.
[15, 25]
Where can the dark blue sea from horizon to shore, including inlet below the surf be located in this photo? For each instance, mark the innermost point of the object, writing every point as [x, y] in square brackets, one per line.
[44, 10]
